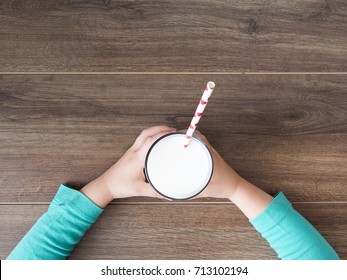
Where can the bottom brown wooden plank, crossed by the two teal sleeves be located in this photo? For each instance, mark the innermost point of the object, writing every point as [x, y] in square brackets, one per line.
[174, 231]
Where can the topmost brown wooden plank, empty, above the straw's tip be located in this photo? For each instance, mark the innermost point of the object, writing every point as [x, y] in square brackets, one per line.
[242, 35]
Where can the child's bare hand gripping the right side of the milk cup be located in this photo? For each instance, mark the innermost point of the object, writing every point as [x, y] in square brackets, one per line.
[224, 180]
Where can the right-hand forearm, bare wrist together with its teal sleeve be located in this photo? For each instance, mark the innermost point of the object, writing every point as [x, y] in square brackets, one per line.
[287, 232]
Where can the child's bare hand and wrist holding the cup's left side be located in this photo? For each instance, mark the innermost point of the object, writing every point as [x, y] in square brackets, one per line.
[126, 178]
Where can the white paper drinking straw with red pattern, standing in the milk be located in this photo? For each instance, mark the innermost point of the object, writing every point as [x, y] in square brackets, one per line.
[198, 113]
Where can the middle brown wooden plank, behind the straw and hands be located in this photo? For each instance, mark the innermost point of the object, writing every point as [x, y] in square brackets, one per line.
[280, 132]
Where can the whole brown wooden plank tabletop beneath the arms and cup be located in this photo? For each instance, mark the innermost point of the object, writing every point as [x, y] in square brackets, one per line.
[79, 80]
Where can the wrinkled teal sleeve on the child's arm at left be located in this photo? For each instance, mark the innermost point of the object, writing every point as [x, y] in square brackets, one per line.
[58, 230]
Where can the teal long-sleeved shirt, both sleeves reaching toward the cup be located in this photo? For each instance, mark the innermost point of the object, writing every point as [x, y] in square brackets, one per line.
[71, 214]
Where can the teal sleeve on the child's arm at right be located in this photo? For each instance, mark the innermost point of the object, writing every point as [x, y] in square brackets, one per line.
[290, 234]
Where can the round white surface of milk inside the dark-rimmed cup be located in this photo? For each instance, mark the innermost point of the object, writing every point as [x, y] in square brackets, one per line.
[179, 172]
